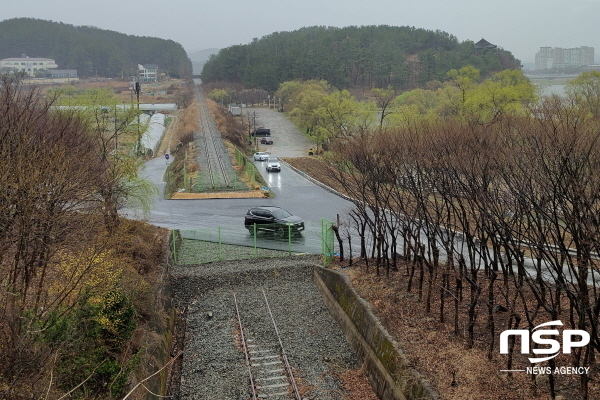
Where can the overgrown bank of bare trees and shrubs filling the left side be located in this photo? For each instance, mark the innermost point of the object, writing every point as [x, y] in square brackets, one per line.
[79, 283]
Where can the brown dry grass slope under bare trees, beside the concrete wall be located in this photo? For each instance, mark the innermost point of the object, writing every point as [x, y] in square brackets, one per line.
[440, 355]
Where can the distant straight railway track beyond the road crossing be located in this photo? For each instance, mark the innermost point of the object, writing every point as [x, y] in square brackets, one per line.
[217, 172]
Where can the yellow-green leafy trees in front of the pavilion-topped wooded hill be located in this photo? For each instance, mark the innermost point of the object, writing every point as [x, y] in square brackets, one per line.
[328, 113]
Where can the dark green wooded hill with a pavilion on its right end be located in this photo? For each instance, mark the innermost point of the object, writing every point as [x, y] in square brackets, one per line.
[366, 56]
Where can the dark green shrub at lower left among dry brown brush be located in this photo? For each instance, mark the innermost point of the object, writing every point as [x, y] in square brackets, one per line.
[92, 338]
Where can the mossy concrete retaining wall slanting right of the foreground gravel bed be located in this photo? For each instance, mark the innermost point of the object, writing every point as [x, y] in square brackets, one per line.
[388, 370]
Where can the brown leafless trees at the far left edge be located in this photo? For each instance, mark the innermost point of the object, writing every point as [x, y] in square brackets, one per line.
[49, 171]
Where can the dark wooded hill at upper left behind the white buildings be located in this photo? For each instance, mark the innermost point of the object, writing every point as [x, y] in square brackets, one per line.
[89, 50]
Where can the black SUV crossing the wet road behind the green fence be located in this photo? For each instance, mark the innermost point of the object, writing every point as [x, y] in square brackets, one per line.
[273, 219]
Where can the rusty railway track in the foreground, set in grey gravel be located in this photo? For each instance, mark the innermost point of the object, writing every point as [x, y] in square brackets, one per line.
[269, 371]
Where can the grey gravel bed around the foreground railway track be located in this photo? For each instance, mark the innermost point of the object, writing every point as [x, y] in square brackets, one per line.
[214, 366]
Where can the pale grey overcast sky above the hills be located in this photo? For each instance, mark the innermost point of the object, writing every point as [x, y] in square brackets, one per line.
[519, 26]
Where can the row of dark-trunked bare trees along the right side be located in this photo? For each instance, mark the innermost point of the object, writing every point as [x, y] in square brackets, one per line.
[496, 210]
